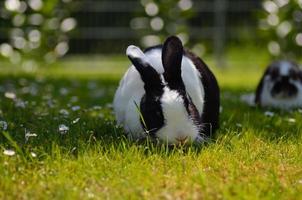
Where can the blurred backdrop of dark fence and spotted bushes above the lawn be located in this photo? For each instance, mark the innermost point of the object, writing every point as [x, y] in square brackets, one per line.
[35, 31]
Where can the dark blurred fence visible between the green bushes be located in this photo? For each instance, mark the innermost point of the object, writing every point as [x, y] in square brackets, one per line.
[103, 26]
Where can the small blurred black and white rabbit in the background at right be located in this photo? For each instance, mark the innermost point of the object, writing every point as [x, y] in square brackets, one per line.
[280, 86]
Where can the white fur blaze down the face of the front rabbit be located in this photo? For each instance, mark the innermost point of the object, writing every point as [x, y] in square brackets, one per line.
[178, 125]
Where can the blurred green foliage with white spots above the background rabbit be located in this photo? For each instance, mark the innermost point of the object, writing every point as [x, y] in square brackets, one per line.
[281, 24]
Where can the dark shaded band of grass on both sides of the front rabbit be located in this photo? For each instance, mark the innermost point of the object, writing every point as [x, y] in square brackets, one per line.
[35, 108]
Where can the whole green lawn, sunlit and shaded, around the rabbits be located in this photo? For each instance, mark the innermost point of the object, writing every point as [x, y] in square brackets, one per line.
[252, 156]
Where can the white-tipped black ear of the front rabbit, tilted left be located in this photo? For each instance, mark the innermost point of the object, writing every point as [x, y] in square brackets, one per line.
[148, 74]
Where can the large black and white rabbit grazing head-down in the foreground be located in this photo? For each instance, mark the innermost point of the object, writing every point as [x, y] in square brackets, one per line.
[168, 93]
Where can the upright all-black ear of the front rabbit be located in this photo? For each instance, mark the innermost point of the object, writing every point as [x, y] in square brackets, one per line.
[172, 53]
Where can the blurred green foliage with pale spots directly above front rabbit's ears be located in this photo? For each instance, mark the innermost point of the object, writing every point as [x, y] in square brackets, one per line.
[161, 19]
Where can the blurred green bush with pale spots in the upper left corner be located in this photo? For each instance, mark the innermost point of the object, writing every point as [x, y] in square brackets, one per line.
[36, 30]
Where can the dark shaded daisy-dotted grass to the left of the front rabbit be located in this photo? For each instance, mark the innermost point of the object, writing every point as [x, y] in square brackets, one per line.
[72, 114]
